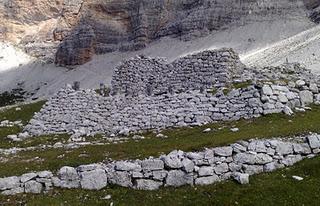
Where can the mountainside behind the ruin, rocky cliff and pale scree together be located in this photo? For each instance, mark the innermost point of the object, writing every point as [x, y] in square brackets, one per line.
[46, 44]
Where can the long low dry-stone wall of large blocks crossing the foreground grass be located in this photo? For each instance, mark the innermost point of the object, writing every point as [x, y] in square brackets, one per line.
[178, 168]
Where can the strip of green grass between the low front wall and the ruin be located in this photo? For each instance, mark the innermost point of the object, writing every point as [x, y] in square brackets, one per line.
[186, 139]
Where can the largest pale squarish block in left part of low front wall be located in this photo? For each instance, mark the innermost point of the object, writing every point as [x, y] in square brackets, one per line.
[94, 180]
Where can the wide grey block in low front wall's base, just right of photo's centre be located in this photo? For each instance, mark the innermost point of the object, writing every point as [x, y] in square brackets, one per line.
[178, 178]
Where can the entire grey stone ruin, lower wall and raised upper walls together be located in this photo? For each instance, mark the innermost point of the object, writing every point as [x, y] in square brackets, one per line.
[177, 100]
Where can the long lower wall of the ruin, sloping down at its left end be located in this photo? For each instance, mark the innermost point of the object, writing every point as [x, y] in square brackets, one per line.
[85, 113]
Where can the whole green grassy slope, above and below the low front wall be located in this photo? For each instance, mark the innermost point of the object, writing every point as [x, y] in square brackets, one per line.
[266, 189]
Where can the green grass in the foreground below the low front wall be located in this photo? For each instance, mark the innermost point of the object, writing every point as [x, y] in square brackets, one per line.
[277, 188]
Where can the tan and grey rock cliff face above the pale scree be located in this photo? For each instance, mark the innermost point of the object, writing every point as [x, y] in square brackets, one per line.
[74, 30]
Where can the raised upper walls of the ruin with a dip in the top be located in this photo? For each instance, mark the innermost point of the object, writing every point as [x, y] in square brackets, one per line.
[207, 69]
